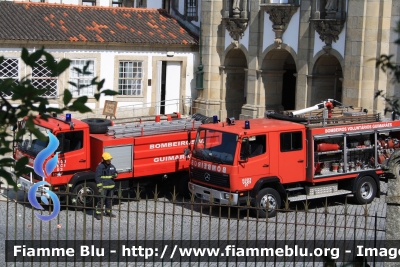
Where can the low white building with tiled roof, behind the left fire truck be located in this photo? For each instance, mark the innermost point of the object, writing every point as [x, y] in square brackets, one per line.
[146, 55]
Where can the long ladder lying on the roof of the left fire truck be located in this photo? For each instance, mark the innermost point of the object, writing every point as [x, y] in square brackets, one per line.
[152, 128]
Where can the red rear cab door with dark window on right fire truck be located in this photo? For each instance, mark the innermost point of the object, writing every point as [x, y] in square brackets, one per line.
[292, 156]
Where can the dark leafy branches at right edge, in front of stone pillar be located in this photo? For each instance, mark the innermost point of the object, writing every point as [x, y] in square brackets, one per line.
[387, 65]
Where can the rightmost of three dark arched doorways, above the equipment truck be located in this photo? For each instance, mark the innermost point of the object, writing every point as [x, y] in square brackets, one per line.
[327, 79]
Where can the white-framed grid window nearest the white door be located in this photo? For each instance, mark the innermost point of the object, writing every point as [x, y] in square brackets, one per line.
[130, 75]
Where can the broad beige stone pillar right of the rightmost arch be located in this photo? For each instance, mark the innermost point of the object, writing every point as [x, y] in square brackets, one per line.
[367, 36]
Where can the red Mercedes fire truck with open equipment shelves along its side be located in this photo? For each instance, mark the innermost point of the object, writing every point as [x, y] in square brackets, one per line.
[278, 158]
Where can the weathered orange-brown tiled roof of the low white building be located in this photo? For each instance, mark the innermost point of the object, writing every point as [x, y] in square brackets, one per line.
[50, 22]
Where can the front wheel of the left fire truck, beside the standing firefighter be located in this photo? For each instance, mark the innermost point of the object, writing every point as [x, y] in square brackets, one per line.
[84, 198]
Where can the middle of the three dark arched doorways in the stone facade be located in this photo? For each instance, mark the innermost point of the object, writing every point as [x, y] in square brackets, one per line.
[279, 81]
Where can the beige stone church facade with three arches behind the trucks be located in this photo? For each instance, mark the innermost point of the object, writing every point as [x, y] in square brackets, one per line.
[278, 55]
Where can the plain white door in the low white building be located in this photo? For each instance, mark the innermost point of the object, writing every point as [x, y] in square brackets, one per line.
[172, 87]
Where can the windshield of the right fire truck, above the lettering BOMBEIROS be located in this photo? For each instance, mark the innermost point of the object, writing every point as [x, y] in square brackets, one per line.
[215, 146]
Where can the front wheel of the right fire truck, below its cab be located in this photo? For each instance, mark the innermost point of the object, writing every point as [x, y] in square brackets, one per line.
[267, 202]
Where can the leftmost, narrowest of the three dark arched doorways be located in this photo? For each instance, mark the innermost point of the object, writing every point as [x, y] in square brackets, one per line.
[235, 82]
